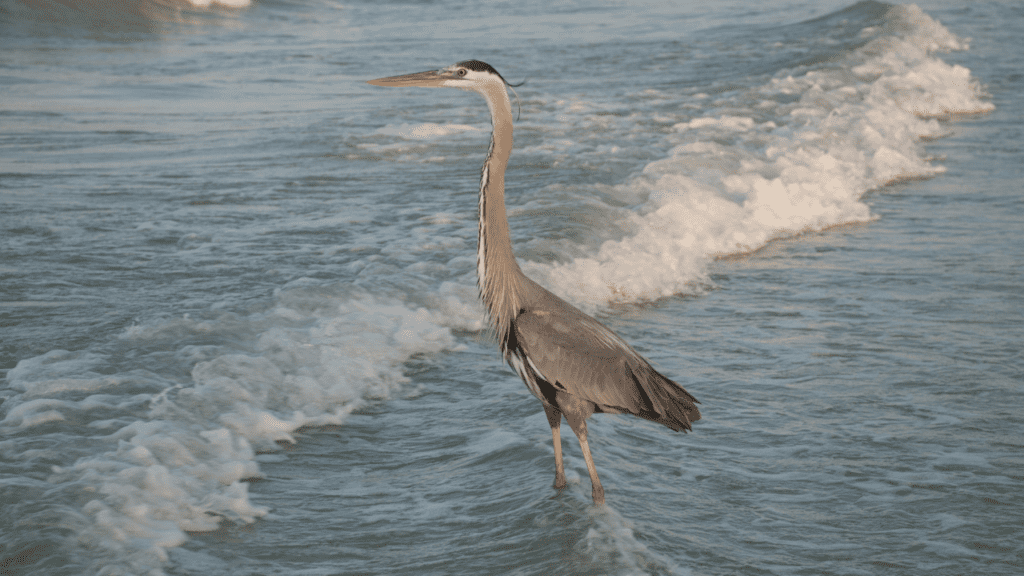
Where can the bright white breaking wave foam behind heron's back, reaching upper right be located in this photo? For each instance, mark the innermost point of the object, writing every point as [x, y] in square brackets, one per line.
[773, 168]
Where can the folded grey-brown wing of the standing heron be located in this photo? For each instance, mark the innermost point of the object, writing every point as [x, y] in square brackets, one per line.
[580, 356]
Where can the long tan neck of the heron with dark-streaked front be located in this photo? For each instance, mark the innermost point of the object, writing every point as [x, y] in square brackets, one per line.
[499, 277]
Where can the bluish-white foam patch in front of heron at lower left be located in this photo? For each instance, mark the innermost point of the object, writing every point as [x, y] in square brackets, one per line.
[182, 461]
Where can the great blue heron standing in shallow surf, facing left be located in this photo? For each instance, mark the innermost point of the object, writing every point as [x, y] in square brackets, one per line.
[573, 363]
